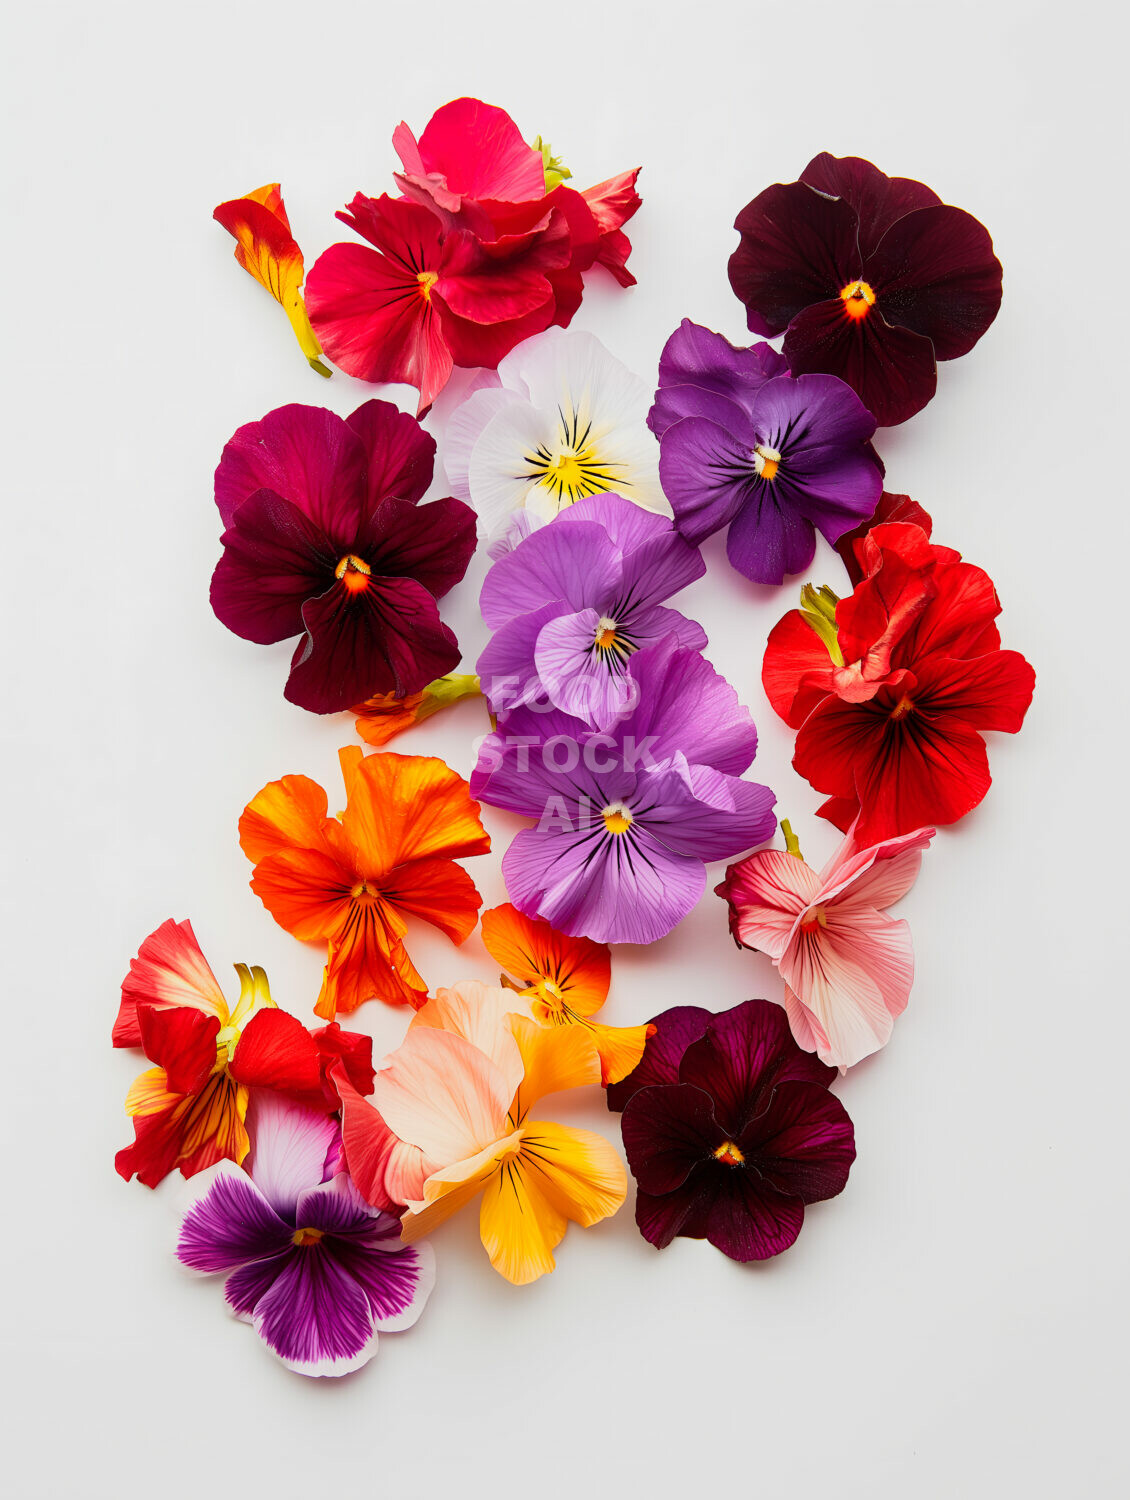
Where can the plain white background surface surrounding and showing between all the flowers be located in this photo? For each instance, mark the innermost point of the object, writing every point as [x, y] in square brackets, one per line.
[954, 1324]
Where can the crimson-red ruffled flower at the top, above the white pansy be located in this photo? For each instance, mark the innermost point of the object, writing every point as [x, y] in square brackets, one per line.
[478, 256]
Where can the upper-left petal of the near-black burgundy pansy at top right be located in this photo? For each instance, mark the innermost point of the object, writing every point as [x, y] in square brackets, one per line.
[798, 248]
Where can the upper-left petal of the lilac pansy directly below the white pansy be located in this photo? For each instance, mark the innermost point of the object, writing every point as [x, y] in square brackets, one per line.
[574, 565]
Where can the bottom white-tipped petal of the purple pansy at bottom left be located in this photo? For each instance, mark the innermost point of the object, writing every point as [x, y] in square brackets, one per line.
[316, 1318]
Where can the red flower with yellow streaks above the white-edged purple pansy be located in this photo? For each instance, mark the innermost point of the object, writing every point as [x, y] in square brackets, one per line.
[190, 1109]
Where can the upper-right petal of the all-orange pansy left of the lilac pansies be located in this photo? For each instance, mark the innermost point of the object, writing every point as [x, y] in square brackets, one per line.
[404, 808]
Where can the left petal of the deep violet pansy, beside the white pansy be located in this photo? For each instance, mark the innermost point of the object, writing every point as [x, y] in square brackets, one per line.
[706, 470]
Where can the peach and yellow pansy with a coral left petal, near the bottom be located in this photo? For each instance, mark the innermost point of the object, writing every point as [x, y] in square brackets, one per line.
[451, 1123]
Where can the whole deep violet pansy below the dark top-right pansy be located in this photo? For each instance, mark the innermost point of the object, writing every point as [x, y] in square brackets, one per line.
[747, 446]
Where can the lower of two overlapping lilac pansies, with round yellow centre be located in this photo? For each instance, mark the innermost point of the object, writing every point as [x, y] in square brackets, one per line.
[628, 817]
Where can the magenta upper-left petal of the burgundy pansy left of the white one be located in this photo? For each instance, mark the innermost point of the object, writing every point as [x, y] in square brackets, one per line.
[305, 455]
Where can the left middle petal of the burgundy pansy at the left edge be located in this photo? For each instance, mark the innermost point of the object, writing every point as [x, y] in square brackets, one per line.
[275, 559]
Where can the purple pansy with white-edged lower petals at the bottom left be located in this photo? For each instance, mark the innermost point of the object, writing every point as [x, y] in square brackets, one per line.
[308, 1262]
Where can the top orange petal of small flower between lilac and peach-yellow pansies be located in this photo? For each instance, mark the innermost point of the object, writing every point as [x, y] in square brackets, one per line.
[559, 968]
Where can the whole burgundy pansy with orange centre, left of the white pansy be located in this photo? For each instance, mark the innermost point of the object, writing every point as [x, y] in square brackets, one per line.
[326, 539]
